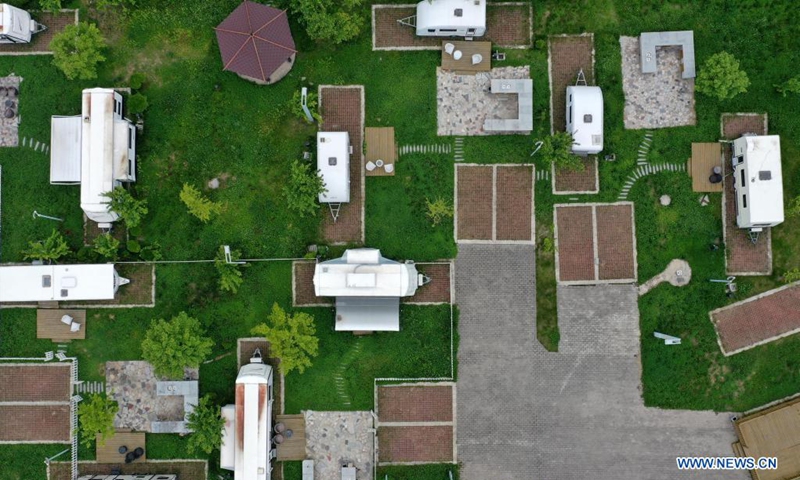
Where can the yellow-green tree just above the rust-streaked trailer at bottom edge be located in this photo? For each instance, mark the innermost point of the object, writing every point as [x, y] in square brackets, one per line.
[292, 338]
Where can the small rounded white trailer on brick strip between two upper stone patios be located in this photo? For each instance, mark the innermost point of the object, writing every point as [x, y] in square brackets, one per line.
[585, 119]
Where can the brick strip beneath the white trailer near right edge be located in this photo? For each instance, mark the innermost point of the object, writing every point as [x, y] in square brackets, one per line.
[742, 255]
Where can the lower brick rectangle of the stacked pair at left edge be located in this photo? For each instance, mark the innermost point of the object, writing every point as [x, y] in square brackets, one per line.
[28, 423]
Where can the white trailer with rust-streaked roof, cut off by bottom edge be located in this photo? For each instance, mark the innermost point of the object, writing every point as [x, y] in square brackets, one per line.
[246, 438]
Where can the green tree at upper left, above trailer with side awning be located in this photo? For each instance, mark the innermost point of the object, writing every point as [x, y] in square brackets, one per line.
[77, 51]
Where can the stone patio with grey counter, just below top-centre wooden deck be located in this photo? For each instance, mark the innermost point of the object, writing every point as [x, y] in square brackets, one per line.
[465, 101]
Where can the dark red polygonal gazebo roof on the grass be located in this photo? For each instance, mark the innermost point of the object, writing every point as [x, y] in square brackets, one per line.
[256, 43]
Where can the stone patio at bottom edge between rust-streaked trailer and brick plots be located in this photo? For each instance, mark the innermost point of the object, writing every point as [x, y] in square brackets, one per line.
[334, 439]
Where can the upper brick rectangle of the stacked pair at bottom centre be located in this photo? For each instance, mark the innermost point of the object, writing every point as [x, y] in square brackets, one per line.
[415, 403]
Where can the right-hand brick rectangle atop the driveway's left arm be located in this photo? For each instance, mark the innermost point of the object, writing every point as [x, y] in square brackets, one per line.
[514, 203]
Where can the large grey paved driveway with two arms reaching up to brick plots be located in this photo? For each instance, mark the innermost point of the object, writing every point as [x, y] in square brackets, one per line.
[527, 414]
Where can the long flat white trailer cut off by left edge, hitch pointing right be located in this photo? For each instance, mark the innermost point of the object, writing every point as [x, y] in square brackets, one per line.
[45, 283]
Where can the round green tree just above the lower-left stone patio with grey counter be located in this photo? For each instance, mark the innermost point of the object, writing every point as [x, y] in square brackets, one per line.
[170, 346]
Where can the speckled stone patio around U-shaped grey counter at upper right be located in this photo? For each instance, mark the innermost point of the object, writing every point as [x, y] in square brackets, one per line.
[659, 100]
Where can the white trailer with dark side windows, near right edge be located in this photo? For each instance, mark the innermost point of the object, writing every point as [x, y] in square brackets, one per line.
[758, 181]
